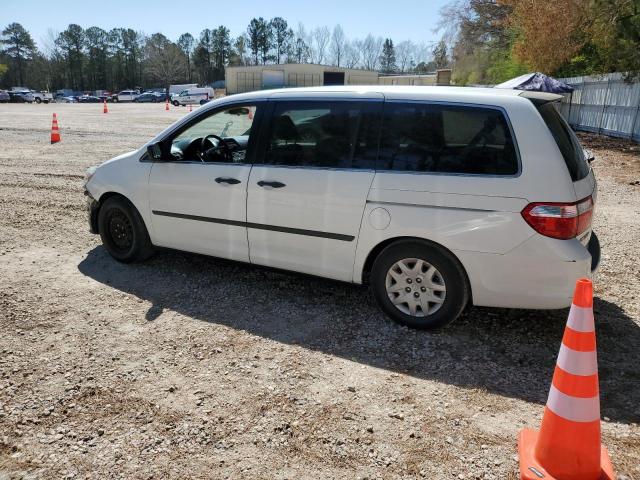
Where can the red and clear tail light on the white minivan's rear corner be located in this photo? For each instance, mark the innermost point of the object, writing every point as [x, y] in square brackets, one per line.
[560, 220]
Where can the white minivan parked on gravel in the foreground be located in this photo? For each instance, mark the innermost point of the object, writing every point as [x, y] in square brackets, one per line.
[436, 197]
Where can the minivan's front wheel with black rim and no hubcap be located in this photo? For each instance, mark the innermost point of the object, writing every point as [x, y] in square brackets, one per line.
[123, 232]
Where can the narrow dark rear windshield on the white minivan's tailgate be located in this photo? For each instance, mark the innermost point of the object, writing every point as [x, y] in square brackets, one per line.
[567, 141]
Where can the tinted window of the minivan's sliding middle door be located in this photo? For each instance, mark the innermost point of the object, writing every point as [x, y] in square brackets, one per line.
[323, 134]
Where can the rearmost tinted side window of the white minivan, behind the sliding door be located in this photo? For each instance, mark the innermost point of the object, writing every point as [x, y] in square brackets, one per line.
[456, 139]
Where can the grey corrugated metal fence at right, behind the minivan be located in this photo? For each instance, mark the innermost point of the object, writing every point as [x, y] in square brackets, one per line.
[603, 104]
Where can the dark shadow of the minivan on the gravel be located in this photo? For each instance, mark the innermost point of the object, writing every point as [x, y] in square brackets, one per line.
[507, 352]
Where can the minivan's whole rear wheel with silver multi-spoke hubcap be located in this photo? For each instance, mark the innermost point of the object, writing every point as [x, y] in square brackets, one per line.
[419, 285]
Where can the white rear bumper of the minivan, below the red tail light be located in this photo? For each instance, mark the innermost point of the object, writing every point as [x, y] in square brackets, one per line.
[541, 273]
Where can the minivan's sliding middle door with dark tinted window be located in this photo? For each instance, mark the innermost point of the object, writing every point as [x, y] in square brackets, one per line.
[305, 201]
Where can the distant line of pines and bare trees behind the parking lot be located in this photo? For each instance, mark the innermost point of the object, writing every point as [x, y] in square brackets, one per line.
[93, 58]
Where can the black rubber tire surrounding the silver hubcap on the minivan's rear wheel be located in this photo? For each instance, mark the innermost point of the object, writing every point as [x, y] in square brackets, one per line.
[457, 292]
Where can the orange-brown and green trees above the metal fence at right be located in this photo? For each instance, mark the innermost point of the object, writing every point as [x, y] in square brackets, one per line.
[494, 40]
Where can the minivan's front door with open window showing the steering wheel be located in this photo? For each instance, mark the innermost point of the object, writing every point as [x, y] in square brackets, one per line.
[198, 196]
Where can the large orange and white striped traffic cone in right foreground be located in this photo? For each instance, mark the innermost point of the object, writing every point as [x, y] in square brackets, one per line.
[568, 447]
